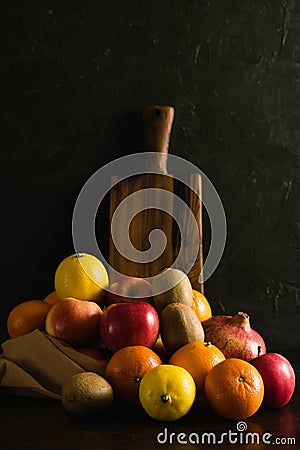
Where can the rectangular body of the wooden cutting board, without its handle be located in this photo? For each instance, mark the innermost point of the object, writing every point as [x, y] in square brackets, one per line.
[150, 219]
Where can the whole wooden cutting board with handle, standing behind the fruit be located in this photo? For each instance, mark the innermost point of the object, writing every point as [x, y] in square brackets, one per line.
[157, 125]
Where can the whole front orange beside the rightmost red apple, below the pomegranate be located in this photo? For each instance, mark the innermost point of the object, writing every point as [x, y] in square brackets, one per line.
[234, 389]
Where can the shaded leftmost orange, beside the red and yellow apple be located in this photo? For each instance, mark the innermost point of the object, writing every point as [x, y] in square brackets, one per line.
[26, 317]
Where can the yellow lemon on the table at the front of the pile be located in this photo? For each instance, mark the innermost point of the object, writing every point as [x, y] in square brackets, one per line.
[167, 392]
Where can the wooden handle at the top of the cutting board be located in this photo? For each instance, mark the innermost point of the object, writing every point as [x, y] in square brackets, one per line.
[157, 126]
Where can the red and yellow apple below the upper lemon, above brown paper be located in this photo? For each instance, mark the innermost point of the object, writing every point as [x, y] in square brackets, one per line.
[74, 321]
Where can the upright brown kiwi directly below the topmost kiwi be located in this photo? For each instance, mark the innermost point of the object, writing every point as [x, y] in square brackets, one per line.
[179, 325]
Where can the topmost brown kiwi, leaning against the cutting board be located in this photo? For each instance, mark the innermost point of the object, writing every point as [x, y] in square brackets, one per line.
[171, 286]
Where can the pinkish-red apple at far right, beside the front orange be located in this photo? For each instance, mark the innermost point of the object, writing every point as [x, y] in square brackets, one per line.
[279, 379]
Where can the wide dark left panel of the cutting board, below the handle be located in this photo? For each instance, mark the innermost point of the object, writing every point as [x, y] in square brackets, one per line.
[142, 224]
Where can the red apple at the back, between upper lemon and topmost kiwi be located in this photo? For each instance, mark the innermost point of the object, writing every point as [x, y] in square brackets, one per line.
[129, 289]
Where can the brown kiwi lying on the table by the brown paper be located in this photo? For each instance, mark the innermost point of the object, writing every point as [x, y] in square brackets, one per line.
[86, 394]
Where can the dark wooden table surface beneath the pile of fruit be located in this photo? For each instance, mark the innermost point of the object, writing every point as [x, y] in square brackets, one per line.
[44, 424]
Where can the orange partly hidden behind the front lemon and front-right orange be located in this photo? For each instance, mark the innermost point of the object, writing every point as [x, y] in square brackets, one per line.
[198, 358]
